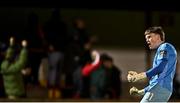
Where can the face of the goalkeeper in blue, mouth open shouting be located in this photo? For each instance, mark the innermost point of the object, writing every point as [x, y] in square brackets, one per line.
[153, 40]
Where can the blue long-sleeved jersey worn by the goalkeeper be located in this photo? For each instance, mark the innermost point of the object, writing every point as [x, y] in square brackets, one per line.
[164, 67]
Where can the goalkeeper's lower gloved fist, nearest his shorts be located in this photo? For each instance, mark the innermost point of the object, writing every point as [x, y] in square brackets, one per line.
[136, 92]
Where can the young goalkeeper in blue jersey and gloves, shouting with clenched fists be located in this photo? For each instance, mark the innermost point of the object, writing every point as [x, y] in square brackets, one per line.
[162, 72]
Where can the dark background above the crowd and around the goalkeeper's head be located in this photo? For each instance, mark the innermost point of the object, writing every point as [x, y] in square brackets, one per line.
[115, 23]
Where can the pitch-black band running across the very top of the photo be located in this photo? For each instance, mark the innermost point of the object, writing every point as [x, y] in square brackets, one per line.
[93, 4]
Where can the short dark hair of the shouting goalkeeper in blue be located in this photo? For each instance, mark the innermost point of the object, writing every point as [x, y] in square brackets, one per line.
[157, 30]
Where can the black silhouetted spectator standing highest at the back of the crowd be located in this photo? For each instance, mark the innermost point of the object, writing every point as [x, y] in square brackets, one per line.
[56, 30]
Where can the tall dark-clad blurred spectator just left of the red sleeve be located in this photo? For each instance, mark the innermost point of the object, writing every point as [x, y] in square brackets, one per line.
[77, 54]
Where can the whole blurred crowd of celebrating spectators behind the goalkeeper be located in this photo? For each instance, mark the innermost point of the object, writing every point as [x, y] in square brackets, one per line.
[62, 61]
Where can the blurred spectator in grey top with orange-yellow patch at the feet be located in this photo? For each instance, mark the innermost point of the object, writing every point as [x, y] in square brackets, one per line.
[55, 64]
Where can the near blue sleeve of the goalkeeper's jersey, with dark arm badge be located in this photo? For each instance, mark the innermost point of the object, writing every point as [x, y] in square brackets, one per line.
[161, 60]
